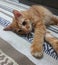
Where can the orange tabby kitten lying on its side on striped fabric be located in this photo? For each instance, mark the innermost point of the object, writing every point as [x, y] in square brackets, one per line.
[36, 17]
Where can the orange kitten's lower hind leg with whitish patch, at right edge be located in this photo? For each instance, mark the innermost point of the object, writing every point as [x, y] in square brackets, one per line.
[52, 40]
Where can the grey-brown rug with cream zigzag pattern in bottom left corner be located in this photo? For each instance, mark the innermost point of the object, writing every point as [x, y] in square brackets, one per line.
[10, 56]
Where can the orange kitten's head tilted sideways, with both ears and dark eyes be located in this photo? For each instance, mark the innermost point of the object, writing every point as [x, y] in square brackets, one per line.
[20, 24]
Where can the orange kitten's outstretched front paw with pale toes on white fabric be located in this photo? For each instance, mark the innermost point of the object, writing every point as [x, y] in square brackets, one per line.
[37, 50]
